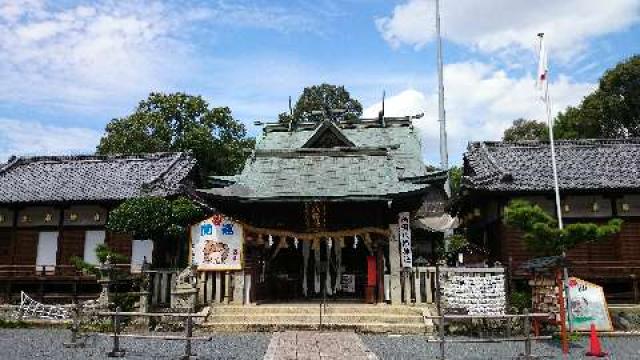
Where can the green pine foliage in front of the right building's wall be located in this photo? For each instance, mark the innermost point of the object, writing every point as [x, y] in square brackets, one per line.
[541, 232]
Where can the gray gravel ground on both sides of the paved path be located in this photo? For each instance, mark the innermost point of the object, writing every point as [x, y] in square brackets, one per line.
[47, 344]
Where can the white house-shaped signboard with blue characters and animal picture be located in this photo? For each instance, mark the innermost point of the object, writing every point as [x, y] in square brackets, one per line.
[216, 244]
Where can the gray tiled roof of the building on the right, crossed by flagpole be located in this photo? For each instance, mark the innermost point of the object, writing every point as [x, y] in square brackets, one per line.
[526, 166]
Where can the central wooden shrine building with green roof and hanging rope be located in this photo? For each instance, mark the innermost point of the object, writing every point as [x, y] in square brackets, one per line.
[320, 204]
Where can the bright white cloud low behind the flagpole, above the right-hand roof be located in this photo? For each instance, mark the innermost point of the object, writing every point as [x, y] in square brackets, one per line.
[481, 102]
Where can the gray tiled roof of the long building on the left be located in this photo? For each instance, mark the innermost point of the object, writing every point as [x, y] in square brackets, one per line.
[93, 178]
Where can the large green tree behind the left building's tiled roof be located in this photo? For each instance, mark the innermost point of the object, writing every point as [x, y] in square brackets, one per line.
[181, 122]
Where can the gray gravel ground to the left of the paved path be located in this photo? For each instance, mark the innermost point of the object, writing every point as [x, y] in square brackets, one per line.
[47, 344]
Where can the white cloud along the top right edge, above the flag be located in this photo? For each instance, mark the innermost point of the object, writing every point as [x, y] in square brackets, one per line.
[501, 25]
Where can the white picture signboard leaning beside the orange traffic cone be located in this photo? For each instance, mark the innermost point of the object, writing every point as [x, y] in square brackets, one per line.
[588, 306]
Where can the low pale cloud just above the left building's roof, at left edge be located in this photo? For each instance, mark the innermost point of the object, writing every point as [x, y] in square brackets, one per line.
[34, 138]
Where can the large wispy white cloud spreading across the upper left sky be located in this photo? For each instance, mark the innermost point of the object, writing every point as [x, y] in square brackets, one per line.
[100, 56]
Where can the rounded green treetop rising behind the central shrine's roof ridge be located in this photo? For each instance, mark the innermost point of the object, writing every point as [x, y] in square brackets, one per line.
[323, 98]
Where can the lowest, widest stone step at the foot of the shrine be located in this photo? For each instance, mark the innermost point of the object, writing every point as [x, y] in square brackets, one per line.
[372, 327]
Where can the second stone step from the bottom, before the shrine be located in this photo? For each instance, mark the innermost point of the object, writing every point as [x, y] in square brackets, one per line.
[341, 318]
